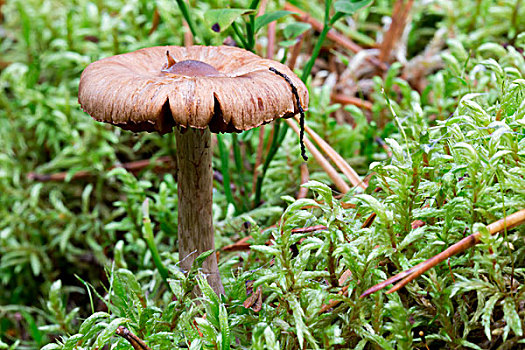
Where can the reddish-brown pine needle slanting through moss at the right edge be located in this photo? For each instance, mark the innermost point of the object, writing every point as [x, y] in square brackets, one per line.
[467, 242]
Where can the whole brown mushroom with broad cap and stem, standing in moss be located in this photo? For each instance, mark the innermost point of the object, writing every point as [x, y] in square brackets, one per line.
[191, 91]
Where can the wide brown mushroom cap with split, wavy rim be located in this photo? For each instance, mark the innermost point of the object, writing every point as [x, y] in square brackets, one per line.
[136, 92]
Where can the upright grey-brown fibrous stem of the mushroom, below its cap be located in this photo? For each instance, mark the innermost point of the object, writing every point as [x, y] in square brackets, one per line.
[195, 191]
